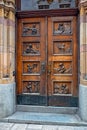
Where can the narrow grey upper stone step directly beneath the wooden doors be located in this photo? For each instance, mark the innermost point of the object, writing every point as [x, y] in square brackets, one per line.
[47, 109]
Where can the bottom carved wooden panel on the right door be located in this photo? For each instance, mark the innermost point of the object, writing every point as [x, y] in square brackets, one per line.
[62, 87]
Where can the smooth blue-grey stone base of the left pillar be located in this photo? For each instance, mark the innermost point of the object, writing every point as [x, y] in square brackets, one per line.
[7, 99]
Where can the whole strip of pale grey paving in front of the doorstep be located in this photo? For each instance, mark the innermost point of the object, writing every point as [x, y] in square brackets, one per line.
[12, 126]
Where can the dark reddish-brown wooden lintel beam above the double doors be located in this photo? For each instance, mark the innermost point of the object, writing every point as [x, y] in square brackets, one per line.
[43, 13]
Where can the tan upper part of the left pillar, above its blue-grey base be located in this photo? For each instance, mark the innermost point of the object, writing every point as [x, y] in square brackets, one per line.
[7, 41]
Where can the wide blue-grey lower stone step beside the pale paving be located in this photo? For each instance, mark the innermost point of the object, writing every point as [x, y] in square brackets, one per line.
[45, 119]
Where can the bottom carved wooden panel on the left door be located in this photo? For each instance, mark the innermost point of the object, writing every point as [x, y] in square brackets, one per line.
[31, 86]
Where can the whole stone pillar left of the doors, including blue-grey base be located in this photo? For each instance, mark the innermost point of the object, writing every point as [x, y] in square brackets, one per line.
[7, 56]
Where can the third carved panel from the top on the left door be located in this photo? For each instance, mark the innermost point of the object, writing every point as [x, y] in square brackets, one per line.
[31, 67]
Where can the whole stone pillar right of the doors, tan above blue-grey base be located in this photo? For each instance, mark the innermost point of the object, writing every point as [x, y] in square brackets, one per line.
[83, 60]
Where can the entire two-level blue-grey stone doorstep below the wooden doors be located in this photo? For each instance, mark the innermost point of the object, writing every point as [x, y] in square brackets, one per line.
[45, 118]
